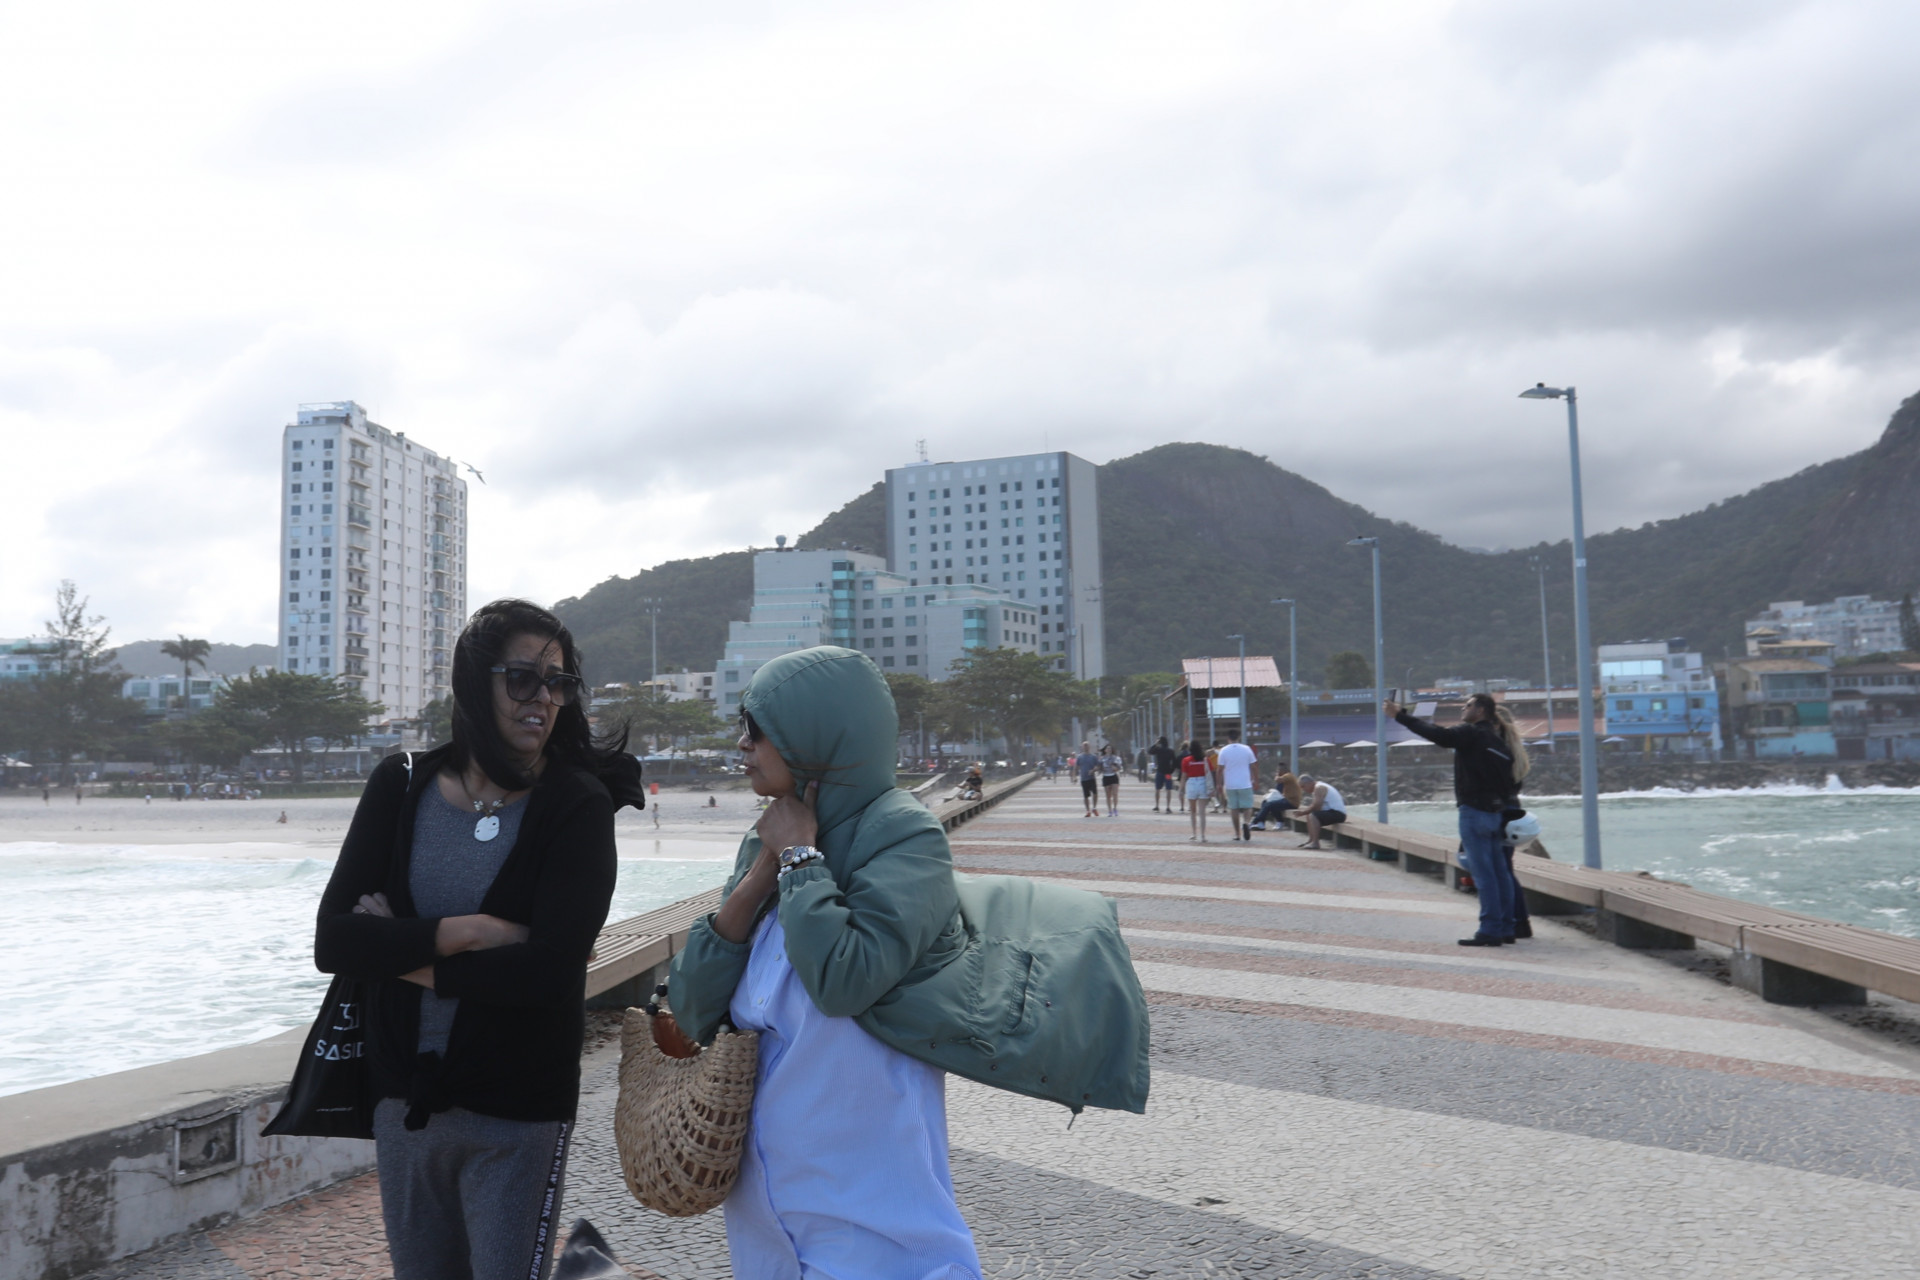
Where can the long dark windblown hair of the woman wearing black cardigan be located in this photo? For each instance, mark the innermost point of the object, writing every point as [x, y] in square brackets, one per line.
[477, 736]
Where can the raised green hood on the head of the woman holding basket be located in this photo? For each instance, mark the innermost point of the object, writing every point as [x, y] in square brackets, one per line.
[830, 715]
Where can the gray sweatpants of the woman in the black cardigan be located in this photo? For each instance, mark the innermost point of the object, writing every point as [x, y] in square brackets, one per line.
[469, 1197]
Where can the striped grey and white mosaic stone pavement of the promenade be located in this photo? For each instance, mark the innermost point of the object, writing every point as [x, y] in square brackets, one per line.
[1341, 1091]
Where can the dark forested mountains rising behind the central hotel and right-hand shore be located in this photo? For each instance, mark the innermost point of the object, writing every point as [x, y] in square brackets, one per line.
[1197, 540]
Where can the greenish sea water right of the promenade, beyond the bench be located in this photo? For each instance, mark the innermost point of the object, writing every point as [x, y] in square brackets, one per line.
[1833, 853]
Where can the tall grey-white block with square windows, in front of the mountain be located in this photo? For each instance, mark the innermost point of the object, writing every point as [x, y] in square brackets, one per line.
[1028, 527]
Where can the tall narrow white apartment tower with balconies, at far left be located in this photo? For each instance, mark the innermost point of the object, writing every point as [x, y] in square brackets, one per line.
[373, 557]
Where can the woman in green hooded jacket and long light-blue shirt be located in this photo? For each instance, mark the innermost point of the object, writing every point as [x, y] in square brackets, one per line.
[869, 972]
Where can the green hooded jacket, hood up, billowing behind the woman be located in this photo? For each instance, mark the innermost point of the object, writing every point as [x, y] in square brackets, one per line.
[994, 978]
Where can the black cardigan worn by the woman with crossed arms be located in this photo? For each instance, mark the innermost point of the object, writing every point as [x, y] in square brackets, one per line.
[516, 1043]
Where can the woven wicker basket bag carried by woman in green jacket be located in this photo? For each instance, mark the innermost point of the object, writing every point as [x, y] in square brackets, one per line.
[683, 1116]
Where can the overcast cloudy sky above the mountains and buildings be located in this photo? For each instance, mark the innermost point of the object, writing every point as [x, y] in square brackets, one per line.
[686, 277]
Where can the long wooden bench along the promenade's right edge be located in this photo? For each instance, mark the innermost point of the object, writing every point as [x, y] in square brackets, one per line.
[1783, 957]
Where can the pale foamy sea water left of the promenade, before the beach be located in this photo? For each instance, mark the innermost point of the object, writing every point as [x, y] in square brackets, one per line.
[122, 955]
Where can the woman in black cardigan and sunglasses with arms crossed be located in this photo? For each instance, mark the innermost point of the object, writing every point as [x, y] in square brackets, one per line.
[468, 899]
